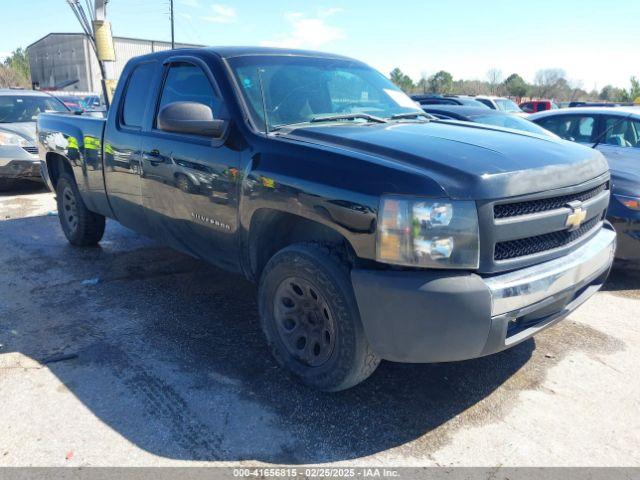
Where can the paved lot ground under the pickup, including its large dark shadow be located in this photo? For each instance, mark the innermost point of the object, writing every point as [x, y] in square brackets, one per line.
[134, 354]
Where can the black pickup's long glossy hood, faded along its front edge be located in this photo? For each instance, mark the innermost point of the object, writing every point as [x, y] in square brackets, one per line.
[469, 161]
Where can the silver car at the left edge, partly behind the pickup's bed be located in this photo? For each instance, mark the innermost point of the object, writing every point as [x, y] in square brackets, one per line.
[19, 110]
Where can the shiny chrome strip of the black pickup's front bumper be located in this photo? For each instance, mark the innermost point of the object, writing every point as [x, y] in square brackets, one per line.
[519, 289]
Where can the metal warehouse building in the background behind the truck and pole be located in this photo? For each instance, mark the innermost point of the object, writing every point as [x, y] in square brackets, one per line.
[61, 58]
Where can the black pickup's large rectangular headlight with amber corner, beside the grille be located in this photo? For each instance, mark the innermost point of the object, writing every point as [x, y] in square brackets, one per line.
[438, 233]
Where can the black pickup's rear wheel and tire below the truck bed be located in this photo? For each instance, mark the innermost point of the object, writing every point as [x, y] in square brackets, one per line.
[81, 226]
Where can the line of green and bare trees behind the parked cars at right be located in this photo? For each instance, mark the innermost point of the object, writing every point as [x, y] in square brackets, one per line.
[549, 83]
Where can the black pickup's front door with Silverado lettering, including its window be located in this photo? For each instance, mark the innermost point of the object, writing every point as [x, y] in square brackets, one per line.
[190, 182]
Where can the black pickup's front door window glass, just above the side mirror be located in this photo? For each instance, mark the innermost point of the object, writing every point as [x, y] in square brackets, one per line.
[188, 83]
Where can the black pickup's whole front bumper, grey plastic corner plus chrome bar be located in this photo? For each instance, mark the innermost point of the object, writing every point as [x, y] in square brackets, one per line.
[444, 316]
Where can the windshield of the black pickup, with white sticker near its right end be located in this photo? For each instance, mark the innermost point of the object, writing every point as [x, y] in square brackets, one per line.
[299, 89]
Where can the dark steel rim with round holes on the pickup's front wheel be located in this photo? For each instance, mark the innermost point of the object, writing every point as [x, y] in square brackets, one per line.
[304, 321]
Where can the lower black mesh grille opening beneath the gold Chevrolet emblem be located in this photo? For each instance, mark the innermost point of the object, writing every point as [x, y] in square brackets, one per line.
[541, 243]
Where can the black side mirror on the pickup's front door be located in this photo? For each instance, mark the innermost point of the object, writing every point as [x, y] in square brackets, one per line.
[190, 117]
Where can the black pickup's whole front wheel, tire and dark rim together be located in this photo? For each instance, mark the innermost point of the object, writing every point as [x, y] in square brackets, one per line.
[311, 320]
